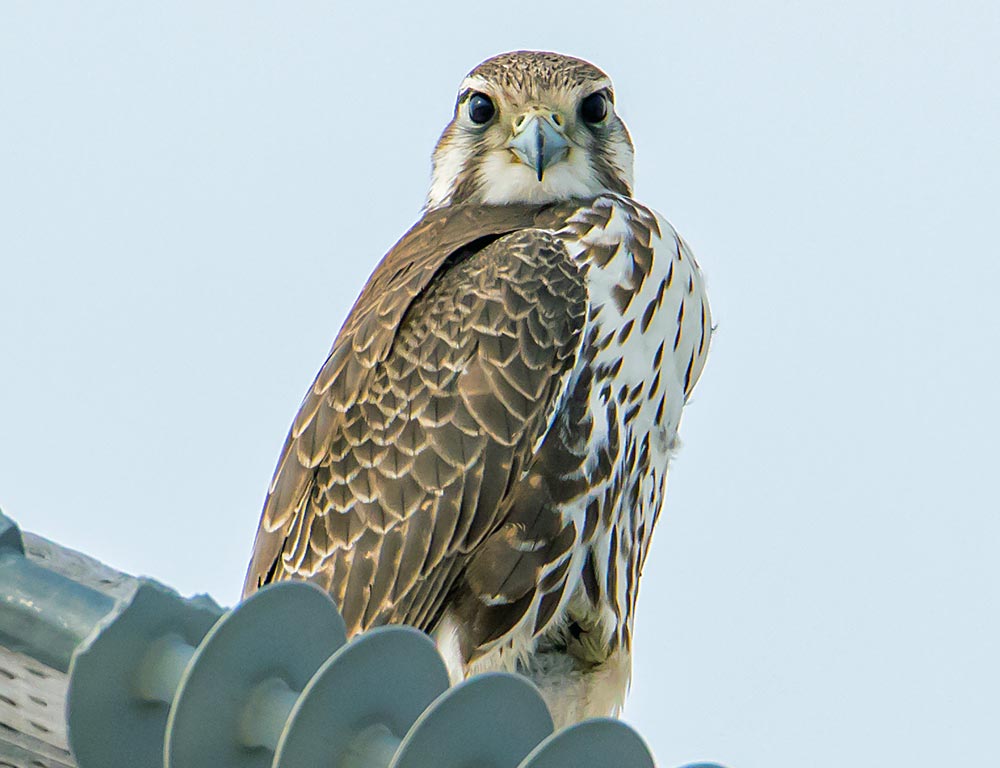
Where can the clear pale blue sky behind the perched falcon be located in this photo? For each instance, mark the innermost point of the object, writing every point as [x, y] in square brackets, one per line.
[192, 193]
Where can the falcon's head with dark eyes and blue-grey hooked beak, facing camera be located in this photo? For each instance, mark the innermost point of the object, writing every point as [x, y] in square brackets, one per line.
[532, 127]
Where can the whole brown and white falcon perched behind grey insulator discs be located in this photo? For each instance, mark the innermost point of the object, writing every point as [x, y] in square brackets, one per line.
[483, 454]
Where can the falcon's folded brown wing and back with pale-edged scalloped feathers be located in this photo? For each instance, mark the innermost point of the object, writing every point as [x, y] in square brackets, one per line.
[406, 449]
